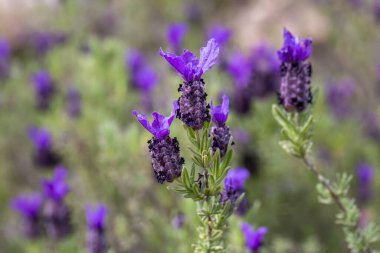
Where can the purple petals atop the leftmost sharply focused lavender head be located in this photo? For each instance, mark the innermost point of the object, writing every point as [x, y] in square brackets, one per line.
[160, 126]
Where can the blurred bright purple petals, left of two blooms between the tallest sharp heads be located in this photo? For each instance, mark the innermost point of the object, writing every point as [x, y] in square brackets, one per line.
[240, 69]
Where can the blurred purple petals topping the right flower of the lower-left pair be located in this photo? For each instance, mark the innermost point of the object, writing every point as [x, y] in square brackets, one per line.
[56, 188]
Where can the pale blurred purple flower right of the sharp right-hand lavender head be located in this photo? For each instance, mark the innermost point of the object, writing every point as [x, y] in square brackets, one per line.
[339, 97]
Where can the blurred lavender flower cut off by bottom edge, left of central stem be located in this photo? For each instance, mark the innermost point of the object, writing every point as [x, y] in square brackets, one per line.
[96, 237]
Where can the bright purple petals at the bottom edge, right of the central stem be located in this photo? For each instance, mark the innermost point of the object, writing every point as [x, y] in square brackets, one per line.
[253, 239]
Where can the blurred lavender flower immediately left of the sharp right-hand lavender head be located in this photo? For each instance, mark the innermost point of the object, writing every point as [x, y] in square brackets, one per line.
[265, 64]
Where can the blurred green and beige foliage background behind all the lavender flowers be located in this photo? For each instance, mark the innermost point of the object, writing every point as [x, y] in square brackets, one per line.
[105, 148]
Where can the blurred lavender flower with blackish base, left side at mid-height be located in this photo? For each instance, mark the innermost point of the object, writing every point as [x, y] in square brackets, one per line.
[44, 154]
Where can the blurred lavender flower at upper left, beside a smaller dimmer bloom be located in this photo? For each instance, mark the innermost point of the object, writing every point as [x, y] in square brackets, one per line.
[44, 89]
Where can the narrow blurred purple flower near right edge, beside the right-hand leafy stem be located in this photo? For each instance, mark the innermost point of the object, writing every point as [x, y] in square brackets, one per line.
[365, 174]
